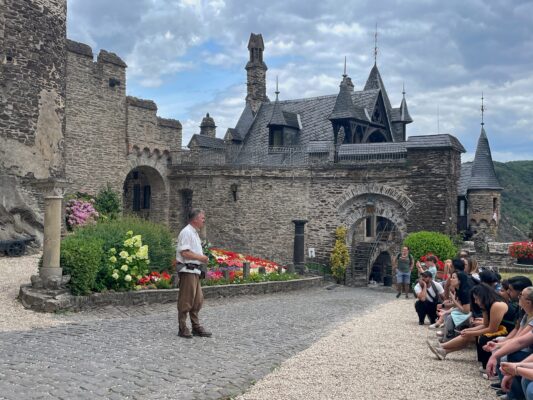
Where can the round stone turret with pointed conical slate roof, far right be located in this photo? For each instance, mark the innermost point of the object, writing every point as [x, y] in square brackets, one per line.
[484, 194]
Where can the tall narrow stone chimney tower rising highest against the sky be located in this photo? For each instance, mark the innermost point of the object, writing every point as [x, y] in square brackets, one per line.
[256, 73]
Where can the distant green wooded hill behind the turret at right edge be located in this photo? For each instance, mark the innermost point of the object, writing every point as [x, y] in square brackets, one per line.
[516, 177]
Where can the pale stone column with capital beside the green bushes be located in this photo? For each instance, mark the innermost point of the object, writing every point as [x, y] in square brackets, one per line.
[51, 272]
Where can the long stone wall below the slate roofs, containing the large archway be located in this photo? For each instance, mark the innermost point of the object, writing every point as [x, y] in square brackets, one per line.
[417, 195]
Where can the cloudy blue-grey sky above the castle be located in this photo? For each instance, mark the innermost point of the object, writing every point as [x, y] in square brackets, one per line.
[189, 57]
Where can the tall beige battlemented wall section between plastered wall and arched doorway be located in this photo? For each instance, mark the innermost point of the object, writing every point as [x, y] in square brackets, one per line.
[95, 136]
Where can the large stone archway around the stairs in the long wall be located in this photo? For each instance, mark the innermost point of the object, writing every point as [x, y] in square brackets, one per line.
[373, 200]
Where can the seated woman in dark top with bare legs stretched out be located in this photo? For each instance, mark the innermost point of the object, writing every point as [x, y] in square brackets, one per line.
[493, 309]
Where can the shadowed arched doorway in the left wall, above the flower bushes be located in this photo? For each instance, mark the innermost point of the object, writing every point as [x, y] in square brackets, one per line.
[145, 194]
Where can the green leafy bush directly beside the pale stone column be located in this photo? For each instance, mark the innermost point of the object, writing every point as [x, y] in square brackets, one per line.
[81, 258]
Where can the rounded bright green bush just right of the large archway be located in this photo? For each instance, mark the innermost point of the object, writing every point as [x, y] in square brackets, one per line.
[424, 242]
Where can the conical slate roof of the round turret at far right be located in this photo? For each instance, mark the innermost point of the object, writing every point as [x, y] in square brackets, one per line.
[483, 175]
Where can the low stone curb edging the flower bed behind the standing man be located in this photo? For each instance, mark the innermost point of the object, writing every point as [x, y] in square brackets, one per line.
[57, 301]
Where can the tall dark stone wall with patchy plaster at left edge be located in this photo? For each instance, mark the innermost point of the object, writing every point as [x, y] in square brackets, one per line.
[32, 105]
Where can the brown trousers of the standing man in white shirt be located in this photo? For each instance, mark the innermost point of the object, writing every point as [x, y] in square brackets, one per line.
[190, 299]
